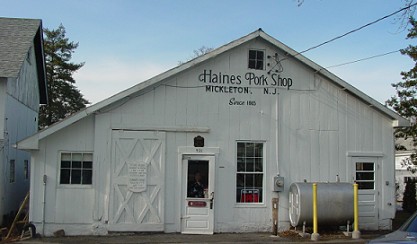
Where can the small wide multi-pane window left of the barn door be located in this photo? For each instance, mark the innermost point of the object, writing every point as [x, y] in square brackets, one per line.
[76, 169]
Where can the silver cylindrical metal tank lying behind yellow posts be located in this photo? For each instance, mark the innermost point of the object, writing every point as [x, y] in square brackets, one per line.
[334, 204]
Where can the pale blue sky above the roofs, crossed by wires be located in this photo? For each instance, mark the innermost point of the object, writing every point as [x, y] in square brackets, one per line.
[126, 42]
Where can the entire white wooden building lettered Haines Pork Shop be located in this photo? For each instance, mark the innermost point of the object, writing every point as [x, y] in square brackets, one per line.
[236, 117]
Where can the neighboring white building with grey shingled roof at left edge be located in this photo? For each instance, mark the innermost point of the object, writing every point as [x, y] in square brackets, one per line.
[22, 89]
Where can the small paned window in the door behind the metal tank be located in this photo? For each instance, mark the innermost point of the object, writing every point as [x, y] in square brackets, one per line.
[365, 175]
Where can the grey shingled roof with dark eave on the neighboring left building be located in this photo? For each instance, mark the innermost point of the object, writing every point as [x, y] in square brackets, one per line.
[16, 38]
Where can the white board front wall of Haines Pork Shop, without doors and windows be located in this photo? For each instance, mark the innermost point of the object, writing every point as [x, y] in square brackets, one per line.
[308, 132]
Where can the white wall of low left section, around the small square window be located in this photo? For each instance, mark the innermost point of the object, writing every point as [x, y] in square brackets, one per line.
[71, 205]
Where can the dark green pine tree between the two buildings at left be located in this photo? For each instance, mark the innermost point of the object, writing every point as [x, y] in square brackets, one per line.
[64, 98]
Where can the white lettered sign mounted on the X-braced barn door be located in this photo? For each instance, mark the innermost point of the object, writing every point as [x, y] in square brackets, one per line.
[137, 174]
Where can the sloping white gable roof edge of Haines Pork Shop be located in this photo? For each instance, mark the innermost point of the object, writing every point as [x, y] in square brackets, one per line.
[31, 143]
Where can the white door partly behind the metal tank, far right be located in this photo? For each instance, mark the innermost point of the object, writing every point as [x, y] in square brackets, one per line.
[366, 176]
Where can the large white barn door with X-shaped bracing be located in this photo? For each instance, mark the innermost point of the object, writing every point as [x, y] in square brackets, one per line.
[137, 174]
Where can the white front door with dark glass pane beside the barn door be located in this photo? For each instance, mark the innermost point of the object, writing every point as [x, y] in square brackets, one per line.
[197, 194]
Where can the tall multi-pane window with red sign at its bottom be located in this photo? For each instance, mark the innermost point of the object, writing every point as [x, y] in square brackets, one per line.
[250, 172]
